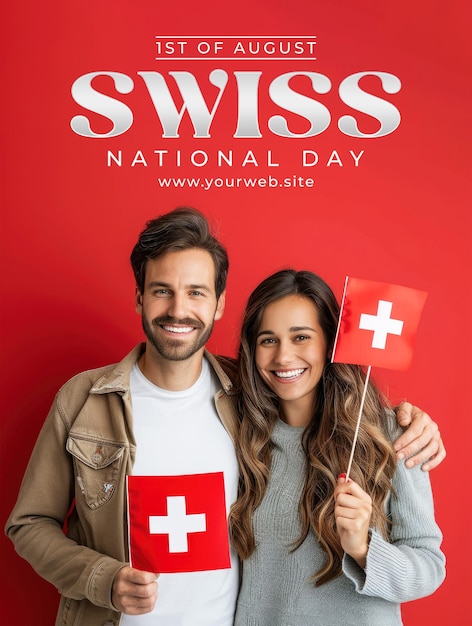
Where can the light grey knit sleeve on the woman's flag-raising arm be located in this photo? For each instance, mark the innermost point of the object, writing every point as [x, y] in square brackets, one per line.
[410, 565]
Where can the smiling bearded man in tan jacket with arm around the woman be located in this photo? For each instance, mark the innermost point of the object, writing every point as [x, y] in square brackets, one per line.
[165, 413]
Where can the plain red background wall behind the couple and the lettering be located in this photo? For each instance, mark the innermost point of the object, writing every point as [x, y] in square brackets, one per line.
[68, 221]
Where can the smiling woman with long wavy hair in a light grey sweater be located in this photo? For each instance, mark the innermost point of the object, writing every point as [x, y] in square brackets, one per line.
[317, 550]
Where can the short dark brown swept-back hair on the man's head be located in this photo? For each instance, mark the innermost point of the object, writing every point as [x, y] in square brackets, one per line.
[181, 229]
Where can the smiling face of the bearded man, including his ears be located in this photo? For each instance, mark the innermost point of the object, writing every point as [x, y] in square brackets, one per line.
[179, 304]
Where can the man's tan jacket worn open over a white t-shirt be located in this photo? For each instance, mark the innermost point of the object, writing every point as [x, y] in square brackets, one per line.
[82, 456]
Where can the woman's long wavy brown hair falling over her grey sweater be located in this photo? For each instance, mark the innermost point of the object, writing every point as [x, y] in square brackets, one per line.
[327, 440]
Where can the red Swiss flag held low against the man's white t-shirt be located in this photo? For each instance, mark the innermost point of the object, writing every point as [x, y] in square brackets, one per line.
[178, 523]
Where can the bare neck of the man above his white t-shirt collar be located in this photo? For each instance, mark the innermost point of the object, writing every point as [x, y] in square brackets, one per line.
[170, 375]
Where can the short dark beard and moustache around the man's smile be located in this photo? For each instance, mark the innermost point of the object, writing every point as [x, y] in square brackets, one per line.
[174, 349]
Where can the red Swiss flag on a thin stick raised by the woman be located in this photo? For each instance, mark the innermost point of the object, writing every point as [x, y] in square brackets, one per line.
[377, 324]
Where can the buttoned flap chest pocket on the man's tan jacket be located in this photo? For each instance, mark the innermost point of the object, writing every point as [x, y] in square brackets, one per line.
[97, 468]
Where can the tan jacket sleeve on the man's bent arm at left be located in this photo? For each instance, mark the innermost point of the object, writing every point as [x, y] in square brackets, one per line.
[35, 524]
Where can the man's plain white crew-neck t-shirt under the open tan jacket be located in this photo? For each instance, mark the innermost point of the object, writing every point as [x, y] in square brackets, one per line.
[178, 433]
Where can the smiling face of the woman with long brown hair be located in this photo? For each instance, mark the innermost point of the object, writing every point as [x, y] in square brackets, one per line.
[291, 352]
